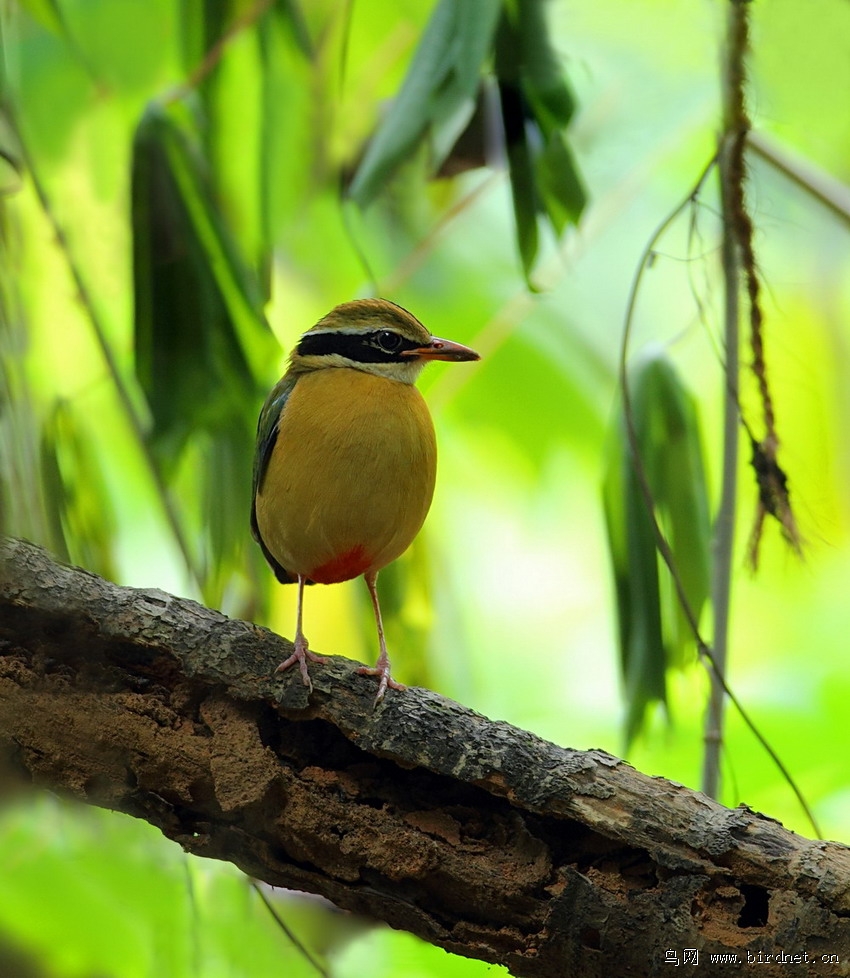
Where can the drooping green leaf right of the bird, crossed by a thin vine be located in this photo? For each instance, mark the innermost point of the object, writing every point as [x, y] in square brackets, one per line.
[653, 629]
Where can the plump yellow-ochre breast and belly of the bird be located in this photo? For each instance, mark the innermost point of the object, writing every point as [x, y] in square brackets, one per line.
[351, 476]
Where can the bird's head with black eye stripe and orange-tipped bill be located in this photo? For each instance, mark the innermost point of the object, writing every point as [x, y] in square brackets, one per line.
[376, 336]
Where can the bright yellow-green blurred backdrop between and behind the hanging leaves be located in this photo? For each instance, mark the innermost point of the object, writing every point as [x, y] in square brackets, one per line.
[508, 599]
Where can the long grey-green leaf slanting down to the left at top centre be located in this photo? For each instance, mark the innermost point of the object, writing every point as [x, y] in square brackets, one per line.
[440, 88]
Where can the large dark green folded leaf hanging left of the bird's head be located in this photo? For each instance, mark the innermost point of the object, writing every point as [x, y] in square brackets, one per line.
[201, 338]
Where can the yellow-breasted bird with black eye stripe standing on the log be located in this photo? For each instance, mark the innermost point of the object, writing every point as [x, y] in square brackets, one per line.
[345, 462]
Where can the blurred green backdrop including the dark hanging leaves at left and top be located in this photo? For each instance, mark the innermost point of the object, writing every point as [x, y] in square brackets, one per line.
[189, 185]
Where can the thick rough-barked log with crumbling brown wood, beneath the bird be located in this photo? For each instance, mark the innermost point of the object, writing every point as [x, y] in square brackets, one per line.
[475, 835]
